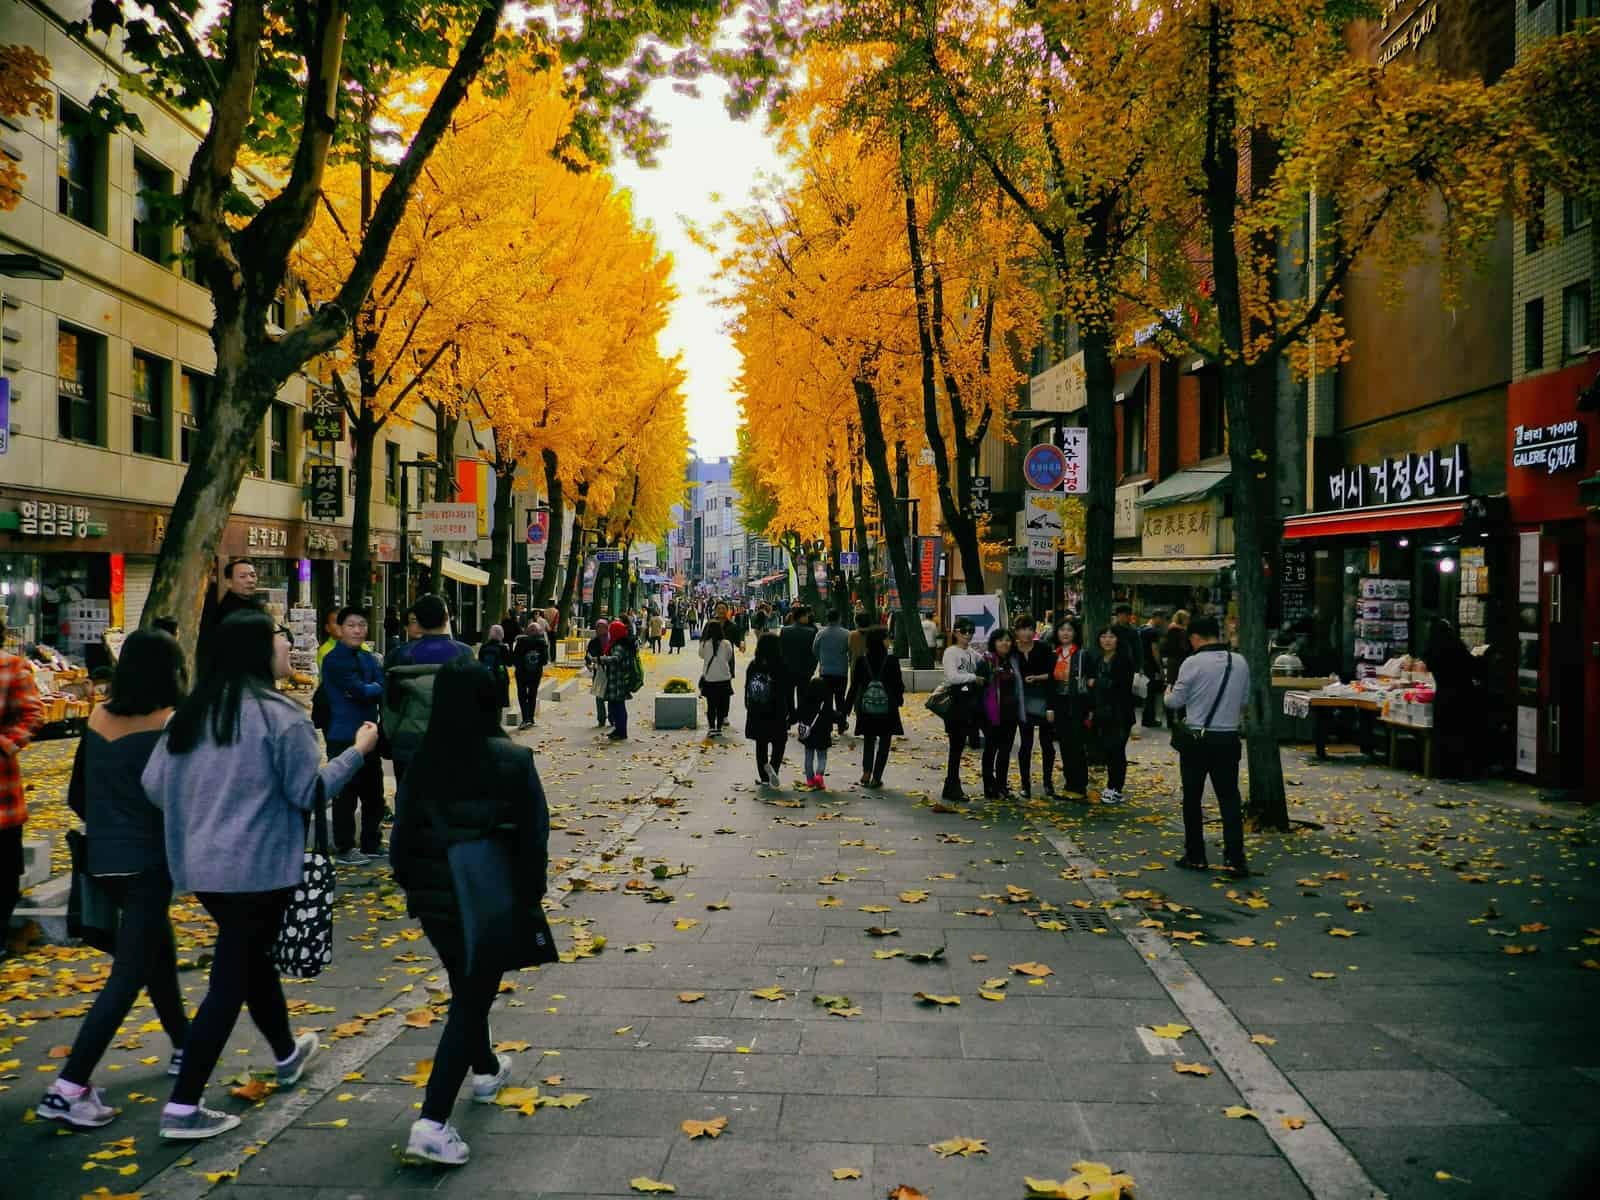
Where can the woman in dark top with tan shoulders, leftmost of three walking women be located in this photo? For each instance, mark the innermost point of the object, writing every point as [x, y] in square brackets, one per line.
[129, 860]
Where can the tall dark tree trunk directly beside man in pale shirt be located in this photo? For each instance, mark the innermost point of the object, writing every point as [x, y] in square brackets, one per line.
[1268, 802]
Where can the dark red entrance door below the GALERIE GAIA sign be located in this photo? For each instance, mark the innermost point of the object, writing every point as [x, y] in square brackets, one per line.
[1562, 719]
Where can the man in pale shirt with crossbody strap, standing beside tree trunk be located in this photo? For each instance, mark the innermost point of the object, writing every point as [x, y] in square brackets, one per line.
[1212, 690]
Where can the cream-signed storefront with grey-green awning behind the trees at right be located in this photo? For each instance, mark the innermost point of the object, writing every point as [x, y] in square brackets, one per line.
[1186, 545]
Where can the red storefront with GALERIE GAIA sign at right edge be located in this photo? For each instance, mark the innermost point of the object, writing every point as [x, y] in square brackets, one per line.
[1550, 452]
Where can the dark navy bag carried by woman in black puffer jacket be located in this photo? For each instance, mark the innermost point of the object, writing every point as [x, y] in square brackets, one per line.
[500, 934]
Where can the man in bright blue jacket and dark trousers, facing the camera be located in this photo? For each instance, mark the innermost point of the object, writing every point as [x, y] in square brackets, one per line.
[354, 684]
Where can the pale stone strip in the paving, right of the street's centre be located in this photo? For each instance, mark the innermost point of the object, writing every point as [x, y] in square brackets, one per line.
[1316, 1154]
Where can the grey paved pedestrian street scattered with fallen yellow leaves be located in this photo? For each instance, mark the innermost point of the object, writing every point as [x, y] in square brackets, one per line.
[847, 993]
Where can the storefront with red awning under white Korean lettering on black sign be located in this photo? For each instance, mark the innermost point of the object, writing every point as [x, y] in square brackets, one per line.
[1394, 548]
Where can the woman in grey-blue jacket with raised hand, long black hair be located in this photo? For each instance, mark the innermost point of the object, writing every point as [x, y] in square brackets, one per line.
[236, 778]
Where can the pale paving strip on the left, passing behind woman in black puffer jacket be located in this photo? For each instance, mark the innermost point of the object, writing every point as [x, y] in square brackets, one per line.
[190, 1183]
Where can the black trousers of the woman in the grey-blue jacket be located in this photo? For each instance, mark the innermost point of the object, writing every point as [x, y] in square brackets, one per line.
[242, 974]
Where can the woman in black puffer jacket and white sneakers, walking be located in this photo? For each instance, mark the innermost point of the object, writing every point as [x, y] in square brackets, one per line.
[466, 782]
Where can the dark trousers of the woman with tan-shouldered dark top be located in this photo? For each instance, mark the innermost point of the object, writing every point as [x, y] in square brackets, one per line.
[145, 959]
